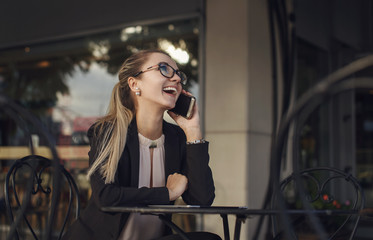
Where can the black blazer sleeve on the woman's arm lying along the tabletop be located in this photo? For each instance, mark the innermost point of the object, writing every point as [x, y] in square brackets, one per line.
[116, 195]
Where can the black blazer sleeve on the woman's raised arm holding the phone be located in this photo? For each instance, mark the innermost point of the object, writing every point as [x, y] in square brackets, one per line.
[201, 189]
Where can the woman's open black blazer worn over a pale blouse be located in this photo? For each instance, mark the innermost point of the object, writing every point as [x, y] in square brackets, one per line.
[190, 160]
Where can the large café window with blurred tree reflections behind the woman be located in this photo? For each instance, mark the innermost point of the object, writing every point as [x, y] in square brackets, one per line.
[67, 84]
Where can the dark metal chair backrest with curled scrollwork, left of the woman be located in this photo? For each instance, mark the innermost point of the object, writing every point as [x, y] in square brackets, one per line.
[41, 198]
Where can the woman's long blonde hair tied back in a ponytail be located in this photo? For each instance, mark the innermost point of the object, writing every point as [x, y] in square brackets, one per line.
[112, 128]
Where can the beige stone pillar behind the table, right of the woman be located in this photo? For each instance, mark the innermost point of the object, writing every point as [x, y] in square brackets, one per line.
[238, 105]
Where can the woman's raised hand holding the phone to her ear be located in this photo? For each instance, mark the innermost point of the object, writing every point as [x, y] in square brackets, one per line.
[191, 127]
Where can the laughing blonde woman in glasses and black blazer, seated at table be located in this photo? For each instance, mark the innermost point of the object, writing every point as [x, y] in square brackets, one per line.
[136, 158]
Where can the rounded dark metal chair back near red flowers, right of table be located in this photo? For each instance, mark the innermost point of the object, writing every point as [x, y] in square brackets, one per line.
[321, 188]
